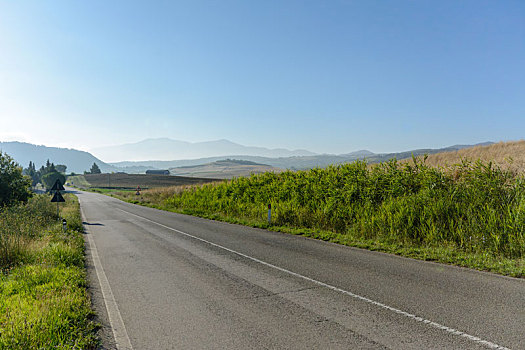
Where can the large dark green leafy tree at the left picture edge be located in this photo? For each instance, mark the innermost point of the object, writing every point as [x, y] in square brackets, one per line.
[14, 186]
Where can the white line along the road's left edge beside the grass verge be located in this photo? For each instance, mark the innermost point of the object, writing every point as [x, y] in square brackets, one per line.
[115, 319]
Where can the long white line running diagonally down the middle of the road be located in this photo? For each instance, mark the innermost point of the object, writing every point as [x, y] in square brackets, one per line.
[356, 296]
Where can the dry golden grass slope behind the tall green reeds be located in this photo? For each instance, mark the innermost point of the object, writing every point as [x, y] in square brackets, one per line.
[506, 155]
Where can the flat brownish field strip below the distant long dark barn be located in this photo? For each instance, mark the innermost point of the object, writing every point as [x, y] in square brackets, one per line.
[131, 181]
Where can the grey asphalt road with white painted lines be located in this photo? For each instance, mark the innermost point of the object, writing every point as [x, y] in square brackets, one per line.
[161, 280]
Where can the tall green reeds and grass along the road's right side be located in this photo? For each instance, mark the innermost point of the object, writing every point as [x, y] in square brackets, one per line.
[472, 214]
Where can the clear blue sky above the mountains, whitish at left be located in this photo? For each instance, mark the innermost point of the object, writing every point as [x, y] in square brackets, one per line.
[327, 76]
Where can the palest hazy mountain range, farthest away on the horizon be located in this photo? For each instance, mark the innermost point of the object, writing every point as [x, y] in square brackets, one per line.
[169, 149]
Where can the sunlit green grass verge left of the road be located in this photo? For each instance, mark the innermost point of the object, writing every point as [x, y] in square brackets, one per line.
[43, 298]
